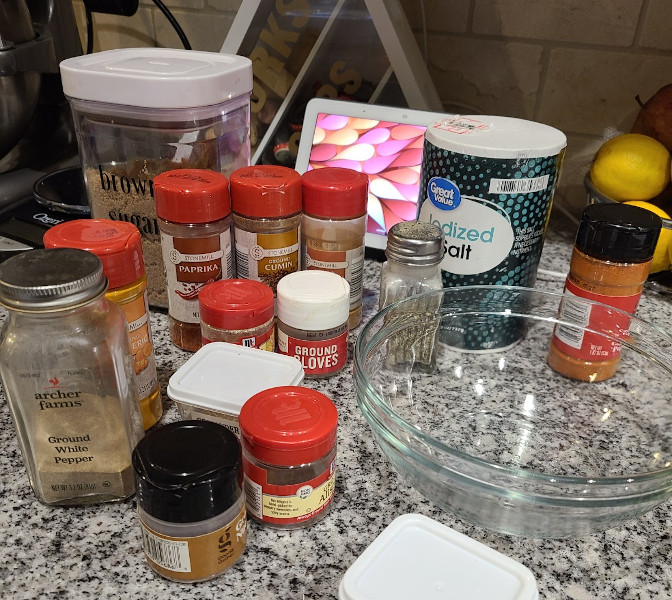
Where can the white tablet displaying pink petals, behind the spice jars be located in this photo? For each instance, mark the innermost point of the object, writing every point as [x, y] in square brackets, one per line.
[385, 142]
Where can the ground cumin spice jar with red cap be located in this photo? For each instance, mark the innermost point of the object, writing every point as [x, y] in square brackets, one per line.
[266, 205]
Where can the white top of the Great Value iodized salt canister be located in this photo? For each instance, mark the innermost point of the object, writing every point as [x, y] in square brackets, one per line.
[495, 137]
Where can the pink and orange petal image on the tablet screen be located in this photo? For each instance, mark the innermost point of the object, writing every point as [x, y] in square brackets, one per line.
[389, 153]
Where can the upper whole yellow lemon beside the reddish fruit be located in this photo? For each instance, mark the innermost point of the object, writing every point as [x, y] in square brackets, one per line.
[631, 166]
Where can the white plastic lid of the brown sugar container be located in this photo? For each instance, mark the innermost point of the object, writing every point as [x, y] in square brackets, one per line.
[157, 77]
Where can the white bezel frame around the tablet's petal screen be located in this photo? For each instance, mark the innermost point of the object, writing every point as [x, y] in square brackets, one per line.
[346, 108]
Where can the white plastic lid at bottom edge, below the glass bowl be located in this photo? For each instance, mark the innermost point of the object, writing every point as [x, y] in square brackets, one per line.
[416, 557]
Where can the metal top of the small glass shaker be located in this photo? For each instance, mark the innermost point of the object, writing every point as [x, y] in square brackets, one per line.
[415, 243]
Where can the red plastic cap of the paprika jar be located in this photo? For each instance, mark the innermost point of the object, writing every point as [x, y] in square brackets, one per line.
[192, 196]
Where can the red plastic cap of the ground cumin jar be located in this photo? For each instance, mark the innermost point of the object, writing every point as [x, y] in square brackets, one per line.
[266, 191]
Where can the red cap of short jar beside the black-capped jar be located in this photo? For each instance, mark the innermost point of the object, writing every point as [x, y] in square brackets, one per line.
[288, 425]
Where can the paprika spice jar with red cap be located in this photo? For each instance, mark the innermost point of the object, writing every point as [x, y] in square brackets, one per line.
[193, 209]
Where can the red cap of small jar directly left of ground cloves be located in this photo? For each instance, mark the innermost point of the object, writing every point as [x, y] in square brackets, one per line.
[236, 303]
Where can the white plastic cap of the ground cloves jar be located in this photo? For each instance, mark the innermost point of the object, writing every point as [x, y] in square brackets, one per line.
[313, 300]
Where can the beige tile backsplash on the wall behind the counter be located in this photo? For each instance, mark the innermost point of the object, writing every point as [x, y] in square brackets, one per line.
[573, 64]
